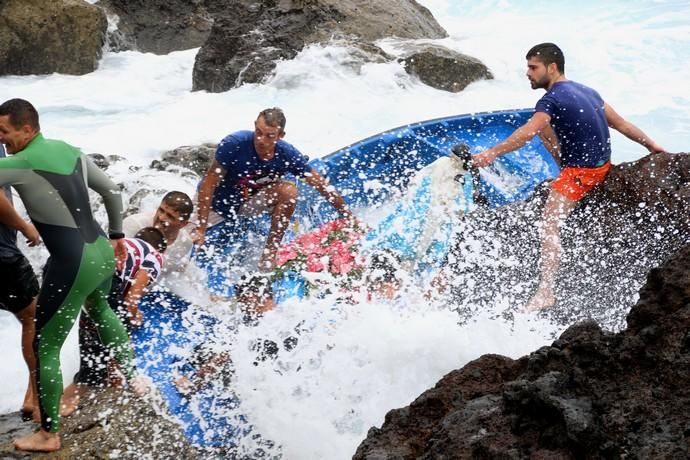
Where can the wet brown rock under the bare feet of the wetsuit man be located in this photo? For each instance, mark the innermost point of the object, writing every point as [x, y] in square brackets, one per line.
[109, 424]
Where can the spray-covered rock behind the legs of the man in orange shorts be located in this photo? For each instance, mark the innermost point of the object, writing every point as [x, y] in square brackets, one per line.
[632, 222]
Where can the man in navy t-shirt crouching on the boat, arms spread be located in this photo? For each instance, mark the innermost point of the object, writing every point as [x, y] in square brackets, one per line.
[245, 180]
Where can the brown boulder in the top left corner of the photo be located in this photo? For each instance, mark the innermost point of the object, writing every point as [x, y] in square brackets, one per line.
[43, 37]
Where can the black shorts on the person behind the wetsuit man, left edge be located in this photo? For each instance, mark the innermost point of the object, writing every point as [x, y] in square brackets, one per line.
[19, 284]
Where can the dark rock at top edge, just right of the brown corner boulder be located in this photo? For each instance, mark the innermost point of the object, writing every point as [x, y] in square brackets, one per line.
[160, 26]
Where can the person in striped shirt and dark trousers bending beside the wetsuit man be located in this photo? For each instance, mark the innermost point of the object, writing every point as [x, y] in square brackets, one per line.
[141, 269]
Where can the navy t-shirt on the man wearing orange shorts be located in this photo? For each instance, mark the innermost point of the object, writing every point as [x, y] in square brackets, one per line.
[578, 118]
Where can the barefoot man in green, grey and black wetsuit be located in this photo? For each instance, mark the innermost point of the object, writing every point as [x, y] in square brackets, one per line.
[52, 179]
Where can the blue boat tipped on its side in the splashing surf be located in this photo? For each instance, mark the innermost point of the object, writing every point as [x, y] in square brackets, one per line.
[369, 174]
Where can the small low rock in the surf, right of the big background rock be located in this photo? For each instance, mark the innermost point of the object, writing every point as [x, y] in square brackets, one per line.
[444, 69]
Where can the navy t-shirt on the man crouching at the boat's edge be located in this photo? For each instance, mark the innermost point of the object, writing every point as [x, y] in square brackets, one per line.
[246, 173]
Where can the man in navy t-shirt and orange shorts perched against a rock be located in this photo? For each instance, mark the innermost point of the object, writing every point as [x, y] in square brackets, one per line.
[573, 123]
